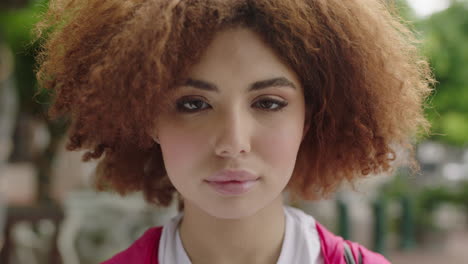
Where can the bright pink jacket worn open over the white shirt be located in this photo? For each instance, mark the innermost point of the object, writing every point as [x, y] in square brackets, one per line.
[145, 249]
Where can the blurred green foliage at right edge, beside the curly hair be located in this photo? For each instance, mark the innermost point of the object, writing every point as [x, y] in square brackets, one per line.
[446, 35]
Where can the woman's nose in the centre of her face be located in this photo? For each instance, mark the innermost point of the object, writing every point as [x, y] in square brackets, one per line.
[233, 137]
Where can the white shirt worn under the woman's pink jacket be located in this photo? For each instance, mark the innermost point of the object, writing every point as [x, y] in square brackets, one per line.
[301, 242]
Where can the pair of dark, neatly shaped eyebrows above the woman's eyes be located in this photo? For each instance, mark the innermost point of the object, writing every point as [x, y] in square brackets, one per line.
[275, 82]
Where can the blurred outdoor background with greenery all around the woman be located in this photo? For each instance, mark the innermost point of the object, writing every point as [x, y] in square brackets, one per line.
[49, 213]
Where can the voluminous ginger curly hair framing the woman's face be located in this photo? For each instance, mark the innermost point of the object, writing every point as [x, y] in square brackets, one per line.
[110, 66]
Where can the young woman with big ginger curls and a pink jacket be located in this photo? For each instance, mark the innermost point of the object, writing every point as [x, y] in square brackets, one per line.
[226, 104]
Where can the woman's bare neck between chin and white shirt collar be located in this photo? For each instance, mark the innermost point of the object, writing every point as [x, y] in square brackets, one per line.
[254, 239]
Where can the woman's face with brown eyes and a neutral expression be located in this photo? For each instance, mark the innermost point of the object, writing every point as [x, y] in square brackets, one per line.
[231, 137]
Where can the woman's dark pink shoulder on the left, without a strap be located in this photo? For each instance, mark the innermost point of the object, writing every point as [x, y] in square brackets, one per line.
[143, 250]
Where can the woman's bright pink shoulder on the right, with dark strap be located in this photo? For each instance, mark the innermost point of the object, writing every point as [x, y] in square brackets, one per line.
[333, 249]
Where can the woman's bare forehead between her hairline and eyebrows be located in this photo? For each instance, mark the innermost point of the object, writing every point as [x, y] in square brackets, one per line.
[239, 56]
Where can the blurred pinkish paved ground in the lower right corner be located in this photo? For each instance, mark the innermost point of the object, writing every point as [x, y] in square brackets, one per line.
[453, 251]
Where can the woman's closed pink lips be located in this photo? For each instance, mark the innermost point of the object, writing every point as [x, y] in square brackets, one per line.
[232, 182]
